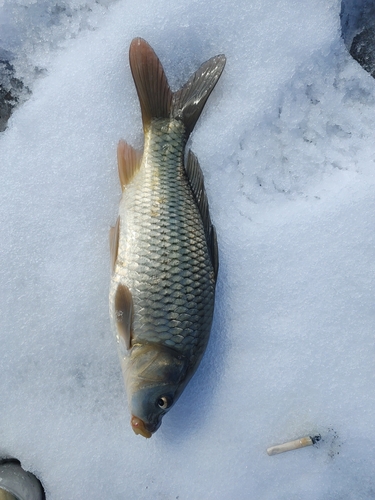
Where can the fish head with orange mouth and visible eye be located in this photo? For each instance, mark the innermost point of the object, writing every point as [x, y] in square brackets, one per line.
[155, 377]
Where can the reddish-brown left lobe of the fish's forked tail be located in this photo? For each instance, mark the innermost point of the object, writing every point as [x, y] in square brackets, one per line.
[153, 90]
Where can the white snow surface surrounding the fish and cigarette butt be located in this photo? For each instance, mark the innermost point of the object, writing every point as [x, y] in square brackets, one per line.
[286, 145]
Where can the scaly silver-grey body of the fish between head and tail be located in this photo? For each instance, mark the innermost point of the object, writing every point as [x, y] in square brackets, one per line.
[170, 241]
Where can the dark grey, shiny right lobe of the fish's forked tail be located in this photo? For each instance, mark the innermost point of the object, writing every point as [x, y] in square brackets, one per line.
[188, 102]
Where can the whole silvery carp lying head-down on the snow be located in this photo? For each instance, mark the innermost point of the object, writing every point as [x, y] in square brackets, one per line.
[164, 252]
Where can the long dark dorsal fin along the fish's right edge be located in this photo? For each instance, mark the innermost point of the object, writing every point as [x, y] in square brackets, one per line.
[196, 181]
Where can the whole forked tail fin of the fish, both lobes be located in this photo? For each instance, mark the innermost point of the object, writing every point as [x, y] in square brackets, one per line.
[155, 96]
